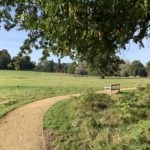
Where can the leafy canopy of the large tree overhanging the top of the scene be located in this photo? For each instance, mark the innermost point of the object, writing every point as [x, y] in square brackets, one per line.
[83, 28]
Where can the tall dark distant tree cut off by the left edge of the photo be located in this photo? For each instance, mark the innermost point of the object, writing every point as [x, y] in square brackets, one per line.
[5, 59]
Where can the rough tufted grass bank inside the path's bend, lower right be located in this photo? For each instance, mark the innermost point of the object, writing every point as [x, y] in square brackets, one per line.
[98, 122]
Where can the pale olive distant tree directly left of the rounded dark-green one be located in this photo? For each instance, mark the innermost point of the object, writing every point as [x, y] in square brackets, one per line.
[124, 69]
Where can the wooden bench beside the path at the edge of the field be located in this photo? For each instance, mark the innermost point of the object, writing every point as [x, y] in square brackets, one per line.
[113, 88]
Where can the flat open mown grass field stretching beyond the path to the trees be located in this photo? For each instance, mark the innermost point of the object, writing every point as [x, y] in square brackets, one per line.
[20, 87]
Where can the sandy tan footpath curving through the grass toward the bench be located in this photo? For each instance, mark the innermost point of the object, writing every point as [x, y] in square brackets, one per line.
[21, 129]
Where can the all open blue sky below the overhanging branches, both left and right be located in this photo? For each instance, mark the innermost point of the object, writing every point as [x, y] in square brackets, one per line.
[12, 41]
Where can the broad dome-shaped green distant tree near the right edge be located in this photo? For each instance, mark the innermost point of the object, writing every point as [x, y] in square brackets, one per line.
[137, 69]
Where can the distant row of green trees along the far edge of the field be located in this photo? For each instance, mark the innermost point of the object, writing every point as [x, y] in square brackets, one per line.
[124, 69]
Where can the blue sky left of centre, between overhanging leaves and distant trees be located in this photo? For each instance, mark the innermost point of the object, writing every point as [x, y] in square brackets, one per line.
[12, 41]
